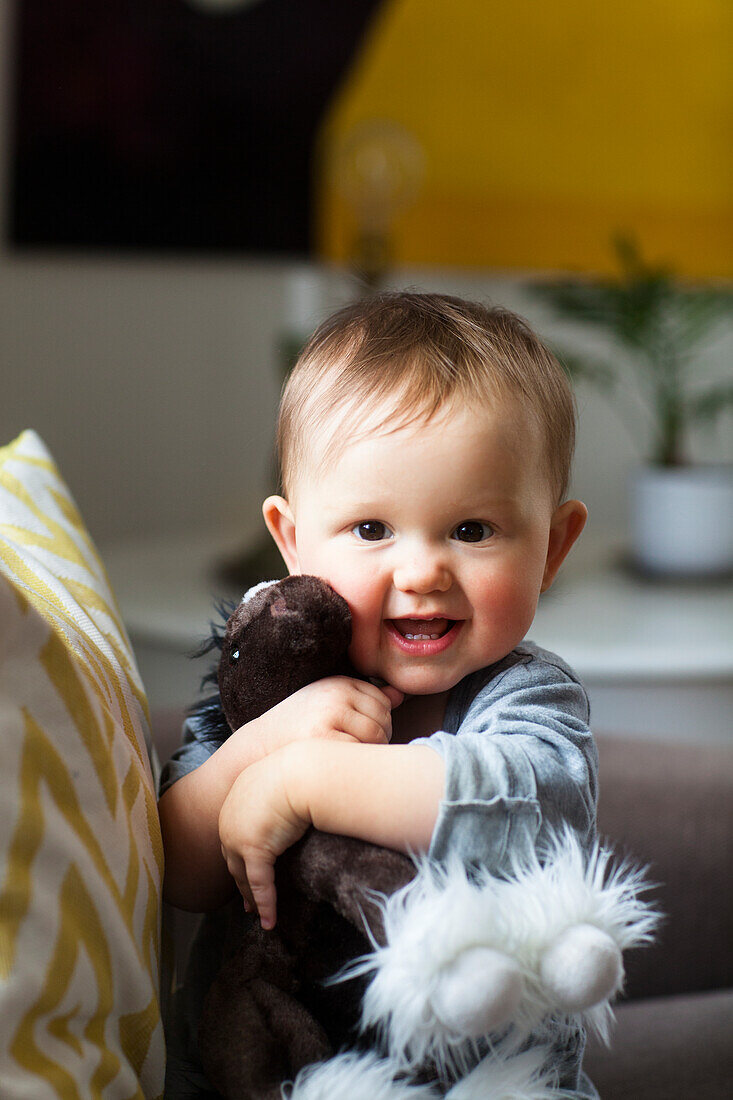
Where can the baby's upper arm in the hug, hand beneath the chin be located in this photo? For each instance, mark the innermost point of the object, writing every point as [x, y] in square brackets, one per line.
[337, 709]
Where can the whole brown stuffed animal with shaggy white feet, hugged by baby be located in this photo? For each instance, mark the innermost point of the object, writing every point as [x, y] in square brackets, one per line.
[417, 1010]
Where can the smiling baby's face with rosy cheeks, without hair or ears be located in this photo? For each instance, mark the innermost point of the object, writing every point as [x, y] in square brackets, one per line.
[436, 535]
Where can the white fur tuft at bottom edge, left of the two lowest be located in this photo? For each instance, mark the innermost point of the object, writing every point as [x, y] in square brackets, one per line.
[354, 1077]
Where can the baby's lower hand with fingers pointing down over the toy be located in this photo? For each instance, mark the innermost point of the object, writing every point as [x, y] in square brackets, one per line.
[257, 824]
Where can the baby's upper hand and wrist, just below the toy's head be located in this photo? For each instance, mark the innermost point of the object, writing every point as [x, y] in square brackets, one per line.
[335, 709]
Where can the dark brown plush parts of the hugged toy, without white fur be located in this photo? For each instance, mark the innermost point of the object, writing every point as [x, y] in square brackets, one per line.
[270, 1011]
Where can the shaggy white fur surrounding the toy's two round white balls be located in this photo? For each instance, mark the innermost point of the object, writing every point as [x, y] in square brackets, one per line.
[443, 915]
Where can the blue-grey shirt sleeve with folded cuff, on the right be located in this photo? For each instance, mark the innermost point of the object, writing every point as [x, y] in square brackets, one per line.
[520, 765]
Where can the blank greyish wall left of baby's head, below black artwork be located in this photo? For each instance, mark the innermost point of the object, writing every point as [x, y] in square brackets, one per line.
[152, 383]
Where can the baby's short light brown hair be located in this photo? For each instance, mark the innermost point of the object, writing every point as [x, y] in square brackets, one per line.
[420, 351]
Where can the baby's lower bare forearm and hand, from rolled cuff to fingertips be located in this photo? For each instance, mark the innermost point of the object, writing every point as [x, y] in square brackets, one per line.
[390, 798]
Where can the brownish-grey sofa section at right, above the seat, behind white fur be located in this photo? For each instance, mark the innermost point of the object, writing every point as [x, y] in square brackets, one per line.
[671, 806]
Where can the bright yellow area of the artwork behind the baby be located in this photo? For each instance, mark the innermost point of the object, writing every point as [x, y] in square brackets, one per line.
[546, 128]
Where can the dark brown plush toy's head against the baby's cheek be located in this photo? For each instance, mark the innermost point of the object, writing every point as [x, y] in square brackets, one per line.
[281, 637]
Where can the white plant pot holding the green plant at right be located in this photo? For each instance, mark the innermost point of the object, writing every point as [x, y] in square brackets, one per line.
[682, 522]
